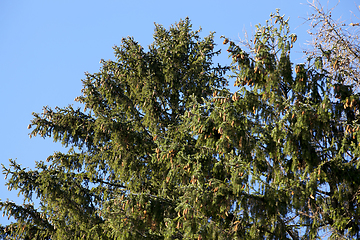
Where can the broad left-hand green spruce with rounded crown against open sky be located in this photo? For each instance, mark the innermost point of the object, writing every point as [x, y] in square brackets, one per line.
[114, 180]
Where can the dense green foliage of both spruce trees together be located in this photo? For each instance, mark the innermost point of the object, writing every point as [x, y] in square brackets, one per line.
[164, 150]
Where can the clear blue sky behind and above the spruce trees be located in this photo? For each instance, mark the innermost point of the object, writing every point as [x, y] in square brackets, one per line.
[46, 46]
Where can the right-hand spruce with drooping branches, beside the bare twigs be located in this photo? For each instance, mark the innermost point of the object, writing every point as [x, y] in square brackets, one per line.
[289, 144]
